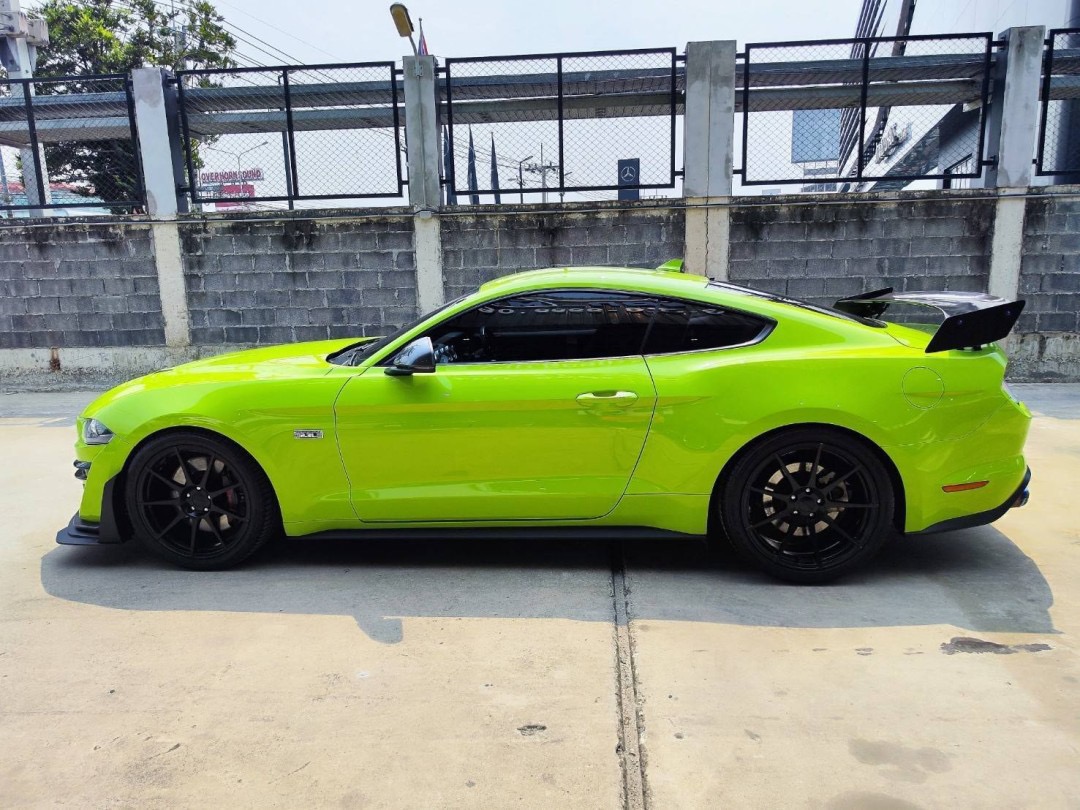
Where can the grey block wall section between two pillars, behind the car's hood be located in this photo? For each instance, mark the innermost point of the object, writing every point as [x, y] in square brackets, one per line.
[272, 282]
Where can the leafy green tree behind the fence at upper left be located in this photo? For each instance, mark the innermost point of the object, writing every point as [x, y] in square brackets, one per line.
[96, 37]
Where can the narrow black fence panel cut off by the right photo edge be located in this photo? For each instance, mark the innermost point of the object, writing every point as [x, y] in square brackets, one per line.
[1058, 154]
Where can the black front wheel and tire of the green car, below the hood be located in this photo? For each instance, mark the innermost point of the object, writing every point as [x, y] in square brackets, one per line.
[199, 502]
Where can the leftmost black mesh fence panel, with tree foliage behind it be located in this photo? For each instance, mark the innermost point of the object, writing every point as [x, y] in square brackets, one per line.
[70, 143]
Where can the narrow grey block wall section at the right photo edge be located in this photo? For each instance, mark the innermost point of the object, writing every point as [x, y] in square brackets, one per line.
[1050, 271]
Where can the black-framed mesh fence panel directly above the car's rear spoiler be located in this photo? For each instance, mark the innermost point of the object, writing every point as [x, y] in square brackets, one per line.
[881, 111]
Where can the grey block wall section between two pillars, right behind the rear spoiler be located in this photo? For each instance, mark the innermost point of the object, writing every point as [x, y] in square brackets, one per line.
[820, 250]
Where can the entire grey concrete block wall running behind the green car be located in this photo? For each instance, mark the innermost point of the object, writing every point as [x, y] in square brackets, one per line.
[91, 288]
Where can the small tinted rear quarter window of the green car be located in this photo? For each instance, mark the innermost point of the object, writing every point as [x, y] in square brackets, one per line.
[687, 327]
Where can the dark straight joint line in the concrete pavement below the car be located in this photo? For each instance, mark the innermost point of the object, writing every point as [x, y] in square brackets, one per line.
[631, 751]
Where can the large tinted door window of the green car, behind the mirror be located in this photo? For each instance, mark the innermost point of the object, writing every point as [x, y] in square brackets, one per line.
[568, 325]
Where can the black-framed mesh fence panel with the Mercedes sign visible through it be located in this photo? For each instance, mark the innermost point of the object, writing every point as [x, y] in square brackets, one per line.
[561, 123]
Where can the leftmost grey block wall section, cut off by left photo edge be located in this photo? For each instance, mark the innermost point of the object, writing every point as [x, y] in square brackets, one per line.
[87, 285]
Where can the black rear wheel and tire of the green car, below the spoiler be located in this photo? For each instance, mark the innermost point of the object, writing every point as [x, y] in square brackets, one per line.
[807, 505]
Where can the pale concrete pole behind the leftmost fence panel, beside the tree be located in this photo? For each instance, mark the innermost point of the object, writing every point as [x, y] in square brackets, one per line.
[20, 38]
